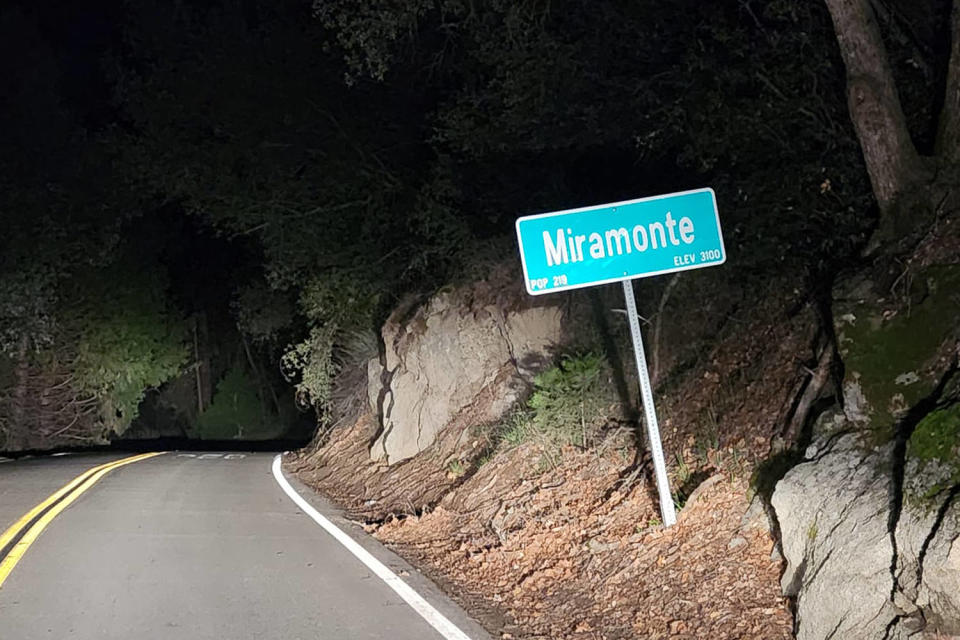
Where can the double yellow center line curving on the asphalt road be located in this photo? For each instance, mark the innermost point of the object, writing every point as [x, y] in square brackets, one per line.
[17, 539]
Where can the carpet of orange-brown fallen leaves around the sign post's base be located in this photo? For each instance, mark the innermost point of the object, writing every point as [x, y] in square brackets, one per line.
[571, 563]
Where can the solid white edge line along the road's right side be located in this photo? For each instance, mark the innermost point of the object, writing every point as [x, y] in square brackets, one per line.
[433, 617]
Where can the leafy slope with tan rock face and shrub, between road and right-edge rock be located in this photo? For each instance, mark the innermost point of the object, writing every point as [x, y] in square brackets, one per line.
[540, 513]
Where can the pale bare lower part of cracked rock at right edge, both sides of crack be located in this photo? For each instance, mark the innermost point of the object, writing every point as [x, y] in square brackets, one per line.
[852, 578]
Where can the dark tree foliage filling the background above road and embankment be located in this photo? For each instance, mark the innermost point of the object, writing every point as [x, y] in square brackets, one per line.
[358, 150]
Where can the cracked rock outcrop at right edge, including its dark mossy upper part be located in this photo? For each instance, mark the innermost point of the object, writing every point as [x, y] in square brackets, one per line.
[870, 523]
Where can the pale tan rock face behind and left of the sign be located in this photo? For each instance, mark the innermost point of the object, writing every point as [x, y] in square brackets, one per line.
[461, 359]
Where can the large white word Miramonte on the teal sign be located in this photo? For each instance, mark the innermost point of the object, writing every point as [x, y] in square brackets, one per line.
[565, 247]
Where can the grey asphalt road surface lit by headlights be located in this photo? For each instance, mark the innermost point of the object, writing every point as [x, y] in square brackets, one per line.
[196, 546]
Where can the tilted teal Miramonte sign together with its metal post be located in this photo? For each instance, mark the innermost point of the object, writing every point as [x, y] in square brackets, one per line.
[621, 241]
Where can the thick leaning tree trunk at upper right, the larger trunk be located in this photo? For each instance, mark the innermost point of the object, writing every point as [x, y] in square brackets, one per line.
[893, 163]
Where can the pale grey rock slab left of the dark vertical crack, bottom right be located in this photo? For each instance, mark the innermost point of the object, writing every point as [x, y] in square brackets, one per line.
[833, 514]
